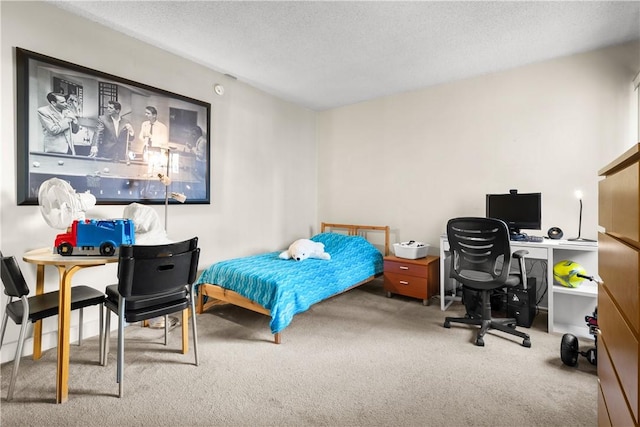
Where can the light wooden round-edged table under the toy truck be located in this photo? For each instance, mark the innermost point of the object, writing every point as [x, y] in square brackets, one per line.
[67, 266]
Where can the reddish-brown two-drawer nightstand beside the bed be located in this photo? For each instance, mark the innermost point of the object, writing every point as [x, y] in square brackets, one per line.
[416, 278]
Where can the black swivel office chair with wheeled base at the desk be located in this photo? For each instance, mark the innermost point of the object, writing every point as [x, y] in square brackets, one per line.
[481, 261]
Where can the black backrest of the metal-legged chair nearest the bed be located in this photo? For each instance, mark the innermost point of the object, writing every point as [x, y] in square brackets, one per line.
[151, 270]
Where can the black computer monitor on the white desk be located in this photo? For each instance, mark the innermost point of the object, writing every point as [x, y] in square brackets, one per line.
[518, 210]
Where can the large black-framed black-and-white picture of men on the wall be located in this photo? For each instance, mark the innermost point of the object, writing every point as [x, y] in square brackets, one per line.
[134, 170]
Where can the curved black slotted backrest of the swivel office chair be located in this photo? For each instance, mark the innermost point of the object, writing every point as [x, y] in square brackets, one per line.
[480, 251]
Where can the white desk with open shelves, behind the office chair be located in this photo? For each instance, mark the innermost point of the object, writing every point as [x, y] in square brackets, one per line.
[566, 306]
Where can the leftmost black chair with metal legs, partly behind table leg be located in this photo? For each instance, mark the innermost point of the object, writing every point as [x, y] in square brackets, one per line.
[31, 309]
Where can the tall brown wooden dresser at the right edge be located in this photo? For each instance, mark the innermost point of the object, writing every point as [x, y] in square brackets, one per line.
[619, 294]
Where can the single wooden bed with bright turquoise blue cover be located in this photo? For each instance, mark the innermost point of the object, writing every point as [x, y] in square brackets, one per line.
[281, 289]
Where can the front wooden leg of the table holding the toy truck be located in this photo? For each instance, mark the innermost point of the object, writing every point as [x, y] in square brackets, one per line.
[64, 332]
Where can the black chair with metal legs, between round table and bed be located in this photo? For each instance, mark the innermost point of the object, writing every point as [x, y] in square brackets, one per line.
[153, 281]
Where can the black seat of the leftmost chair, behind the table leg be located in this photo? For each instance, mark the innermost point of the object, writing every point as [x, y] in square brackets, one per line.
[46, 305]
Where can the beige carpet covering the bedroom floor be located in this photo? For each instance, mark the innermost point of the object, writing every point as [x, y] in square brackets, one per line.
[359, 359]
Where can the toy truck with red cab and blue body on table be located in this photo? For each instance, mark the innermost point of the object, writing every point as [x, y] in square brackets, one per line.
[95, 237]
